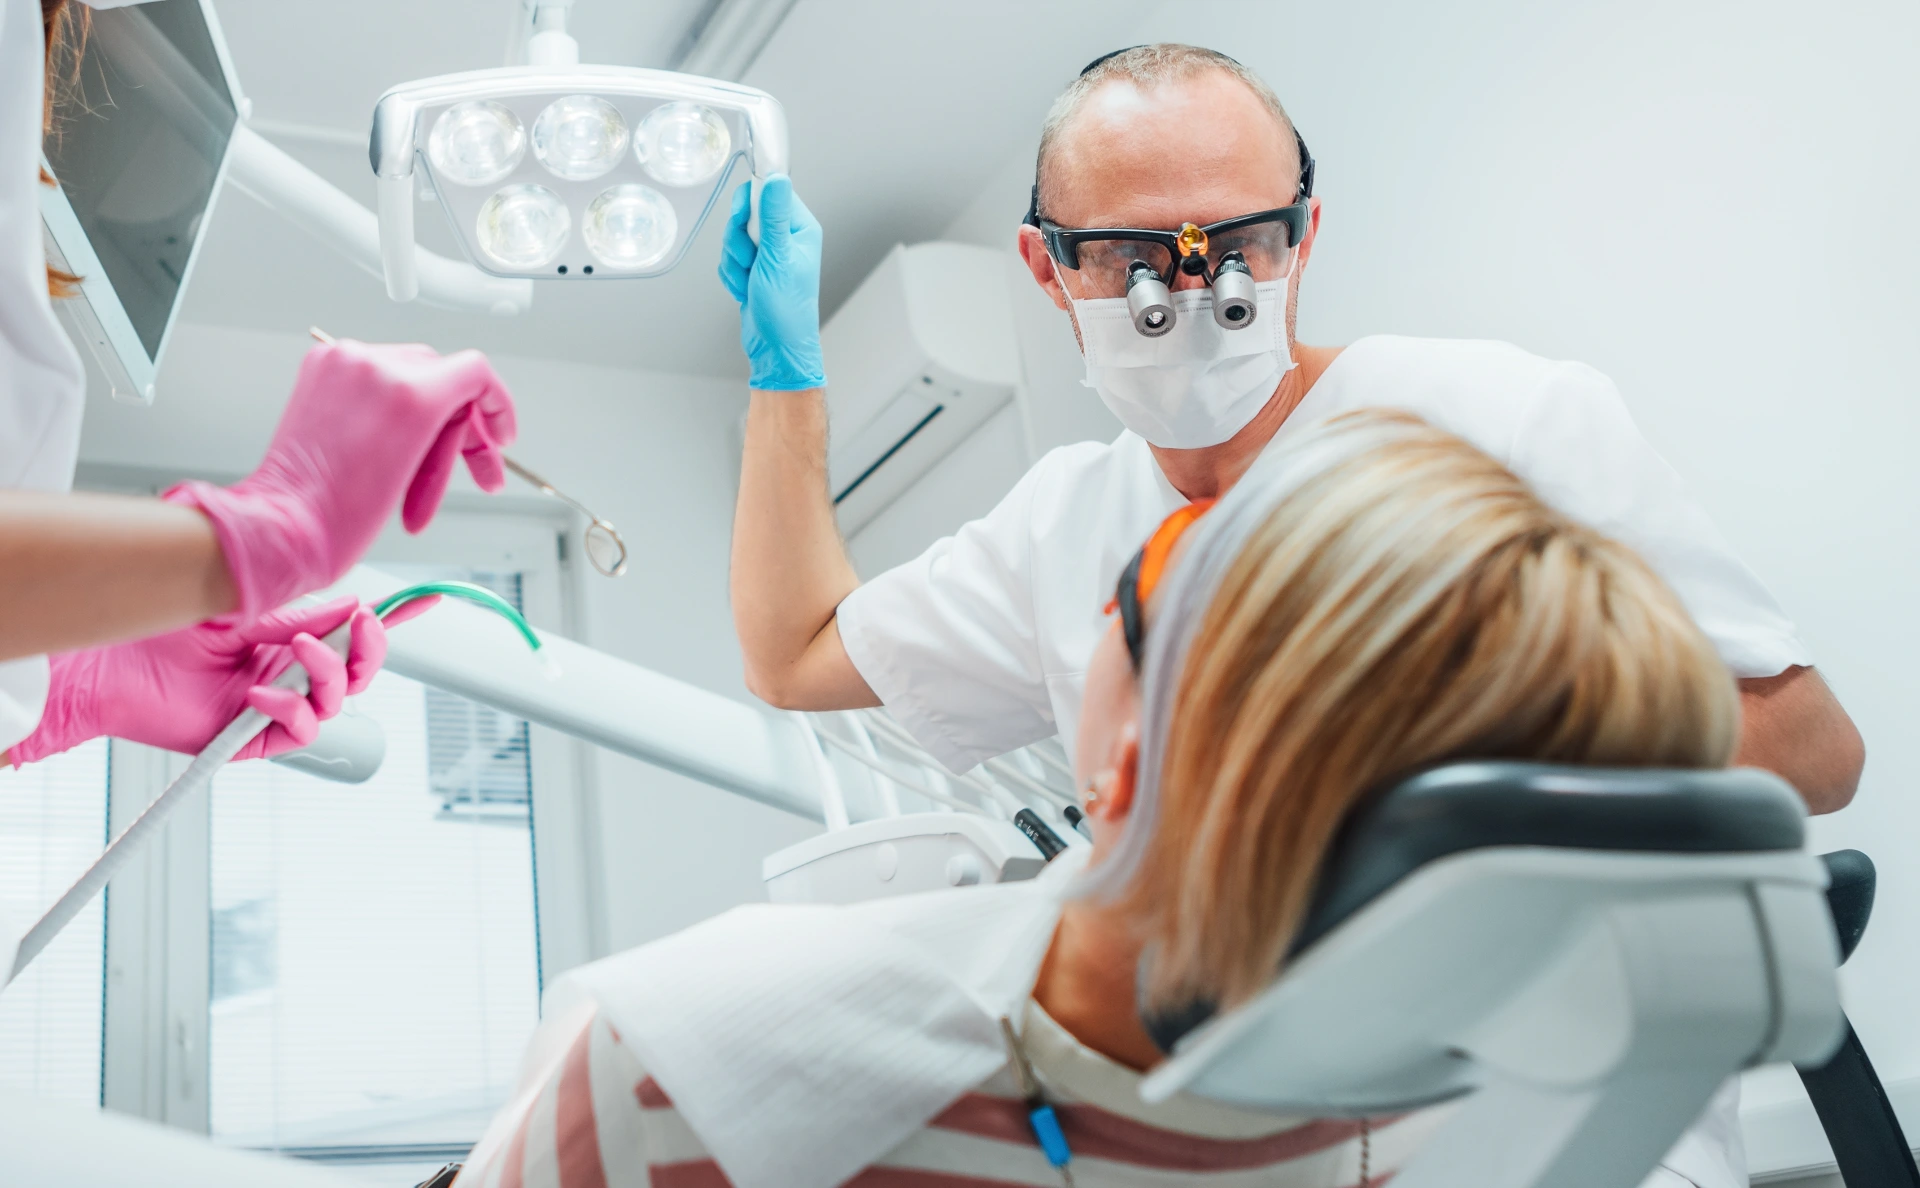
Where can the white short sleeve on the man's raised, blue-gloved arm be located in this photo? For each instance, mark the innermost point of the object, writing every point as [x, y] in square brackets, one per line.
[948, 642]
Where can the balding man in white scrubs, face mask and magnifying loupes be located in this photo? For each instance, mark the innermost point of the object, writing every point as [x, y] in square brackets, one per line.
[982, 644]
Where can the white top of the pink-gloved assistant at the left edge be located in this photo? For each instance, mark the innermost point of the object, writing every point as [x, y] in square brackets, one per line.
[41, 379]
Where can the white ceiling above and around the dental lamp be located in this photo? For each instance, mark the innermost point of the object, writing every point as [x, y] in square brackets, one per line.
[901, 112]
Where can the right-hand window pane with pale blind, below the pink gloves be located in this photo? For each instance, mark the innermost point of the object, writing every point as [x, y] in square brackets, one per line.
[375, 953]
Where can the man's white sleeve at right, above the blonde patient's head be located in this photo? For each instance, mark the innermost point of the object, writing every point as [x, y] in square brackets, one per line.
[1583, 454]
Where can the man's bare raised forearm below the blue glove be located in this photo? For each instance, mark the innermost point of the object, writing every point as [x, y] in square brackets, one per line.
[790, 565]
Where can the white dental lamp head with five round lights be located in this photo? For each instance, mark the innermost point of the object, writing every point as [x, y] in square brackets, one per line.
[565, 172]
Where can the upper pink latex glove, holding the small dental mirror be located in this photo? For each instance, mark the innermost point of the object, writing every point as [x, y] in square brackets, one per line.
[366, 431]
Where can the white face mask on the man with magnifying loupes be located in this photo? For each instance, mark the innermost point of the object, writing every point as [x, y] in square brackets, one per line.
[1197, 385]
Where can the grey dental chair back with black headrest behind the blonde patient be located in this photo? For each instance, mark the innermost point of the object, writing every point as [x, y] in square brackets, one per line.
[1579, 957]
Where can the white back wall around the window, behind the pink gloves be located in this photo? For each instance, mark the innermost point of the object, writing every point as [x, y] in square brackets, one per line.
[650, 452]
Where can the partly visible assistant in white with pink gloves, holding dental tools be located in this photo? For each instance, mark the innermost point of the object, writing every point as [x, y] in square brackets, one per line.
[164, 617]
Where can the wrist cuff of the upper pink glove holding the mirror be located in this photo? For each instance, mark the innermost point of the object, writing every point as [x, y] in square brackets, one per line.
[276, 550]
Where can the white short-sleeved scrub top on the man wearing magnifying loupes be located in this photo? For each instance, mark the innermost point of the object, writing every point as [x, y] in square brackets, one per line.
[982, 644]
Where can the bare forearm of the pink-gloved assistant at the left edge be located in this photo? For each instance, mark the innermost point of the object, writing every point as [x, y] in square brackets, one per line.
[80, 571]
